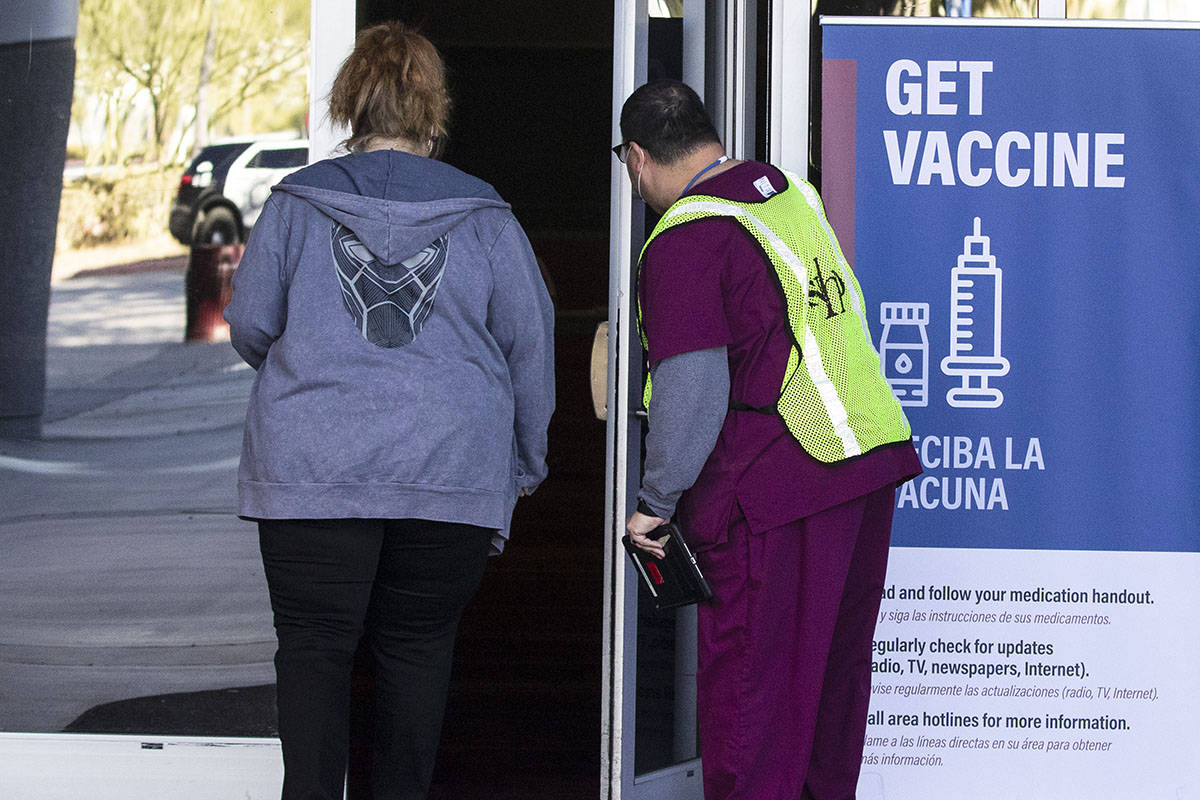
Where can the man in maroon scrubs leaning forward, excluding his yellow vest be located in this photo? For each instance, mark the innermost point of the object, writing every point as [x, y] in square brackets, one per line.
[795, 549]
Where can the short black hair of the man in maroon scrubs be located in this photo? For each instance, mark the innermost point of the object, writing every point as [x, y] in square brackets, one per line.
[668, 119]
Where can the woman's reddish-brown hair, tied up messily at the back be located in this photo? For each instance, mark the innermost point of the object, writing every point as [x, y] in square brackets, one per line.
[392, 86]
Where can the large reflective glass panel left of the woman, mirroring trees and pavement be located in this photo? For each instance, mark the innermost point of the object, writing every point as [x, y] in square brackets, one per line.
[134, 597]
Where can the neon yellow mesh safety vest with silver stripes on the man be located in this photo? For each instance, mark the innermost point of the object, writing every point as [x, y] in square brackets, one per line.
[839, 406]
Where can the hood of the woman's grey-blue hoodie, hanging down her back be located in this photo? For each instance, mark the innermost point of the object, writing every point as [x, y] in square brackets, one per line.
[395, 203]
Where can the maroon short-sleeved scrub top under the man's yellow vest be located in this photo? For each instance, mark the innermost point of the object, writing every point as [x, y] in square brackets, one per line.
[707, 285]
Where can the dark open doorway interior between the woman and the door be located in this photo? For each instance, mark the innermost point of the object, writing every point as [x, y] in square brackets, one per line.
[532, 87]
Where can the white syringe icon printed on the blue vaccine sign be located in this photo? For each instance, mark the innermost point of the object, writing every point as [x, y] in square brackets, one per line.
[976, 296]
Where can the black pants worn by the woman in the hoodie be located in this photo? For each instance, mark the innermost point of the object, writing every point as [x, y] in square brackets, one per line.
[405, 584]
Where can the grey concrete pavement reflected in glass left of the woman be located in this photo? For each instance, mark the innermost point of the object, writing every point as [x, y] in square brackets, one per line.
[125, 572]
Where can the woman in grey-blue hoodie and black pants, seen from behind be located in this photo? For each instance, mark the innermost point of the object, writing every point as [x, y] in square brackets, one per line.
[403, 336]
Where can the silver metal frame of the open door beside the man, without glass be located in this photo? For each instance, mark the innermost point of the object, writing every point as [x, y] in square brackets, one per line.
[724, 87]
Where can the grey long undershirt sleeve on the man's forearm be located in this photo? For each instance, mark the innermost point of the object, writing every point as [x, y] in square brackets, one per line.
[688, 408]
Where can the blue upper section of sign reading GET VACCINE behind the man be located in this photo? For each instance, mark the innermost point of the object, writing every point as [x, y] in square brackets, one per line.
[1022, 206]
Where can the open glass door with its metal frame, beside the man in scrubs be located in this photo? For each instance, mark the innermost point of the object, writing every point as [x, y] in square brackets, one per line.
[649, 718]
